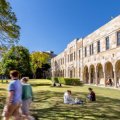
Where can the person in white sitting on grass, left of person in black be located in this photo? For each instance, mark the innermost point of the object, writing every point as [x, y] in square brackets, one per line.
[68, 97]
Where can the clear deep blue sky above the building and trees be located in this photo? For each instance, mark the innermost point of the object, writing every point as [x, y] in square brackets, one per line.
[52, 24]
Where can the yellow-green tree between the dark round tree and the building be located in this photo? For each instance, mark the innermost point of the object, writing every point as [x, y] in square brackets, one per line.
[37, 61]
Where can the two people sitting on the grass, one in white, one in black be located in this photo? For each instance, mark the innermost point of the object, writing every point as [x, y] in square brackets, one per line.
[68, 99]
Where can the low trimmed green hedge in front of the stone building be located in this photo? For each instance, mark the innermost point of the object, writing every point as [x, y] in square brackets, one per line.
[68, 81]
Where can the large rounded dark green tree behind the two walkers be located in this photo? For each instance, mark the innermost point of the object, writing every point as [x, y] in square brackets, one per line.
[18, 58]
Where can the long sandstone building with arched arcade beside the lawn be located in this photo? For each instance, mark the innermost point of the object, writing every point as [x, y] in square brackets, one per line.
[94, 59]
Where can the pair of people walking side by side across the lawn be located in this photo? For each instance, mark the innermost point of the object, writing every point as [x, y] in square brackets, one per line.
[19, 98]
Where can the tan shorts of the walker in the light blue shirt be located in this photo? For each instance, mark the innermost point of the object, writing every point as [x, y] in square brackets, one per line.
[11, 110]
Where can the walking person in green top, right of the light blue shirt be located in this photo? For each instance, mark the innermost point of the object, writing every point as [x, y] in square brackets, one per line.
[27, 97]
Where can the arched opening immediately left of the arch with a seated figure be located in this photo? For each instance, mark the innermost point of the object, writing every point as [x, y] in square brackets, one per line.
[100, 74]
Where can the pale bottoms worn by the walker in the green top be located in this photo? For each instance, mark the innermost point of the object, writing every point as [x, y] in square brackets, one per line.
[26, 106]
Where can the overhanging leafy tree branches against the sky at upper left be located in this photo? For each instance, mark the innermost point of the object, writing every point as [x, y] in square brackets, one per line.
[9, 30]
